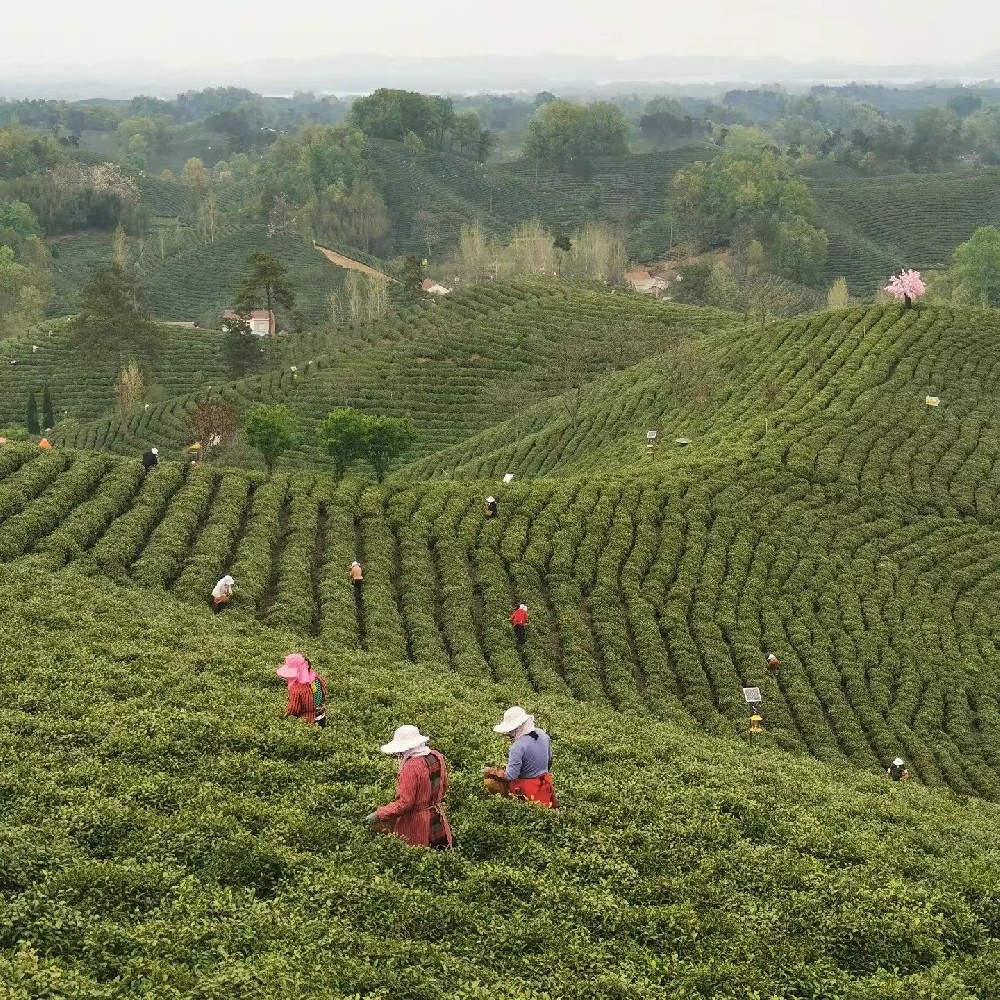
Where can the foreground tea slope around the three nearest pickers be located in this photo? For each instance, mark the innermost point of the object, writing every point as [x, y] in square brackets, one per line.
[167, 834]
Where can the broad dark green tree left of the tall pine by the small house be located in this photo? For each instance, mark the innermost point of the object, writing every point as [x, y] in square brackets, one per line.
[112, 322]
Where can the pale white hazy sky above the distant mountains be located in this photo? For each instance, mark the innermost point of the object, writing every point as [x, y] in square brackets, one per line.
[186, 33]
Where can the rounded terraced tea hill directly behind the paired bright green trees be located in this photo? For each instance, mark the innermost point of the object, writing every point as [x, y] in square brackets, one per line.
[455, 367]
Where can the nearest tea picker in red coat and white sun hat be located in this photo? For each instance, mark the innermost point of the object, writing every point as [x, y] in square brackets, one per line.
[416, 815]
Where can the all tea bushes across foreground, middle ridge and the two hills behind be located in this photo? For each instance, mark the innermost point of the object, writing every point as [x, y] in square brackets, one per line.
[165, 833]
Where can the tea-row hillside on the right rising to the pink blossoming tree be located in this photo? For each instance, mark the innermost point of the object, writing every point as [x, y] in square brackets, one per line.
[837, 396]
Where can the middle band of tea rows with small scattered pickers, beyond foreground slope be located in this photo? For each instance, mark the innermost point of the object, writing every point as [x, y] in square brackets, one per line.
[656, 596]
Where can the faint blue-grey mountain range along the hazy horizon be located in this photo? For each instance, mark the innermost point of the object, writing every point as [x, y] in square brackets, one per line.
[348, 74]
